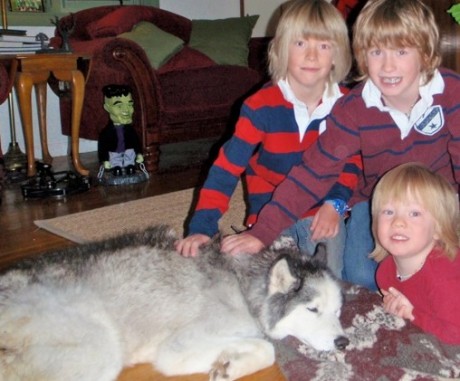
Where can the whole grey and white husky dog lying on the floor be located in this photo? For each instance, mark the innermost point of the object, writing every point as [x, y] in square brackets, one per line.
[86, 312]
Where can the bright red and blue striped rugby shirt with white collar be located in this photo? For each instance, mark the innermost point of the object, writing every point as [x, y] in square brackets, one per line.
[265, 145]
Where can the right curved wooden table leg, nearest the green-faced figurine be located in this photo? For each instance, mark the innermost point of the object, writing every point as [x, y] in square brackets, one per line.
[78, 94]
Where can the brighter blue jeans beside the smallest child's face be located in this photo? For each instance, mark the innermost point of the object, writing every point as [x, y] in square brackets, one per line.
[358, 268]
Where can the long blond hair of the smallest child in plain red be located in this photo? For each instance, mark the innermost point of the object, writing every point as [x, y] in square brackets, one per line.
[431, 190]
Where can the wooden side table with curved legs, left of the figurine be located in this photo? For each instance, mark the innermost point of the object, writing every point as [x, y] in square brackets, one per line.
[34, 70]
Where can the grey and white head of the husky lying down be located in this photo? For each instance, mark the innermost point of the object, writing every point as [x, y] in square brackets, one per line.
[307, 305]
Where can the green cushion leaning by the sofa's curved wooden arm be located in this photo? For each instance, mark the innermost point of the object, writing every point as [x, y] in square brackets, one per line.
[159, 46]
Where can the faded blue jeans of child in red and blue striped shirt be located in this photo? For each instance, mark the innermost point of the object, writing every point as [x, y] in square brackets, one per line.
[301, 234]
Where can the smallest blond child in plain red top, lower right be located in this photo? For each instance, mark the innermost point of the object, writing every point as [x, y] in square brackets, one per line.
[415, 216]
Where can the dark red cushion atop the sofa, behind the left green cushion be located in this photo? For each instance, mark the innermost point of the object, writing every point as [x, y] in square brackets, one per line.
[124, 18]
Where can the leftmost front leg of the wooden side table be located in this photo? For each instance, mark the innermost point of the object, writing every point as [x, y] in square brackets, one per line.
[24, 85]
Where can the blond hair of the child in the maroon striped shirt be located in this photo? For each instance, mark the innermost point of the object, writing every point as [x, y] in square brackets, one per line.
[397, 24]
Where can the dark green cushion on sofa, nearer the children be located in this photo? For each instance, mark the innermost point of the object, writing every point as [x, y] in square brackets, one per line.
[225, 41]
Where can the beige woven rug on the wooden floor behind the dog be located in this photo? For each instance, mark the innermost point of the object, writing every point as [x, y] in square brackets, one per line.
[171, 209]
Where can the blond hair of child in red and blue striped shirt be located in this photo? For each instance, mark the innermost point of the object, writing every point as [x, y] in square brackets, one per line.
[310, 18]
